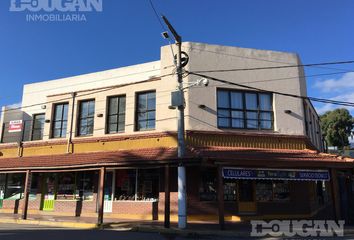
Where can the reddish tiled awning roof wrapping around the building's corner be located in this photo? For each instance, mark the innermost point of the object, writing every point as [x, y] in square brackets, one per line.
[219, 155]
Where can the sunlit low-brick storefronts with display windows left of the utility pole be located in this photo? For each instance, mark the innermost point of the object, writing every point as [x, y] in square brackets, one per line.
[128, 193]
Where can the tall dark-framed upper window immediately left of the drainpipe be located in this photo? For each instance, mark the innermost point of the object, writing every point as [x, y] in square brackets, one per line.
[60, 120]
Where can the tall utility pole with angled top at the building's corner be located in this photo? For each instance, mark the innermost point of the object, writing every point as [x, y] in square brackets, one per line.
[182, 193]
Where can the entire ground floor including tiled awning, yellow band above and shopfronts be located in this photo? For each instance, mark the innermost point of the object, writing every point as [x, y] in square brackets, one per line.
[230, 177]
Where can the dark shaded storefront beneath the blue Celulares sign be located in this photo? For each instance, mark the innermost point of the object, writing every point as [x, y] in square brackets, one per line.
[261, 193]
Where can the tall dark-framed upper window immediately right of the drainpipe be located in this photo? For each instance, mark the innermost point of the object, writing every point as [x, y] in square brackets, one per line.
[86, 118]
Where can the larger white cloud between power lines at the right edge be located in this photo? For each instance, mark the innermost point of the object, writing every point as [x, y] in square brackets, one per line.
[335, 85]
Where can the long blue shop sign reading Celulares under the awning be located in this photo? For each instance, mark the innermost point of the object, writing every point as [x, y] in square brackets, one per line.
[276, 174]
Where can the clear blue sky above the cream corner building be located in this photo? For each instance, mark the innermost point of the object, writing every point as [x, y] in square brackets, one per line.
[127, 32]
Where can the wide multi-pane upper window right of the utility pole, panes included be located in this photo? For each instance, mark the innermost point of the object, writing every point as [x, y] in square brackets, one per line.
[244, 110]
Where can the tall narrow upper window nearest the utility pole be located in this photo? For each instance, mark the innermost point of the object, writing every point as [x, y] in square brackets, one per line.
[145, 111]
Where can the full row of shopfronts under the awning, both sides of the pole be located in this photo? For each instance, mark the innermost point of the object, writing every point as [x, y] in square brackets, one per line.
[215, 193]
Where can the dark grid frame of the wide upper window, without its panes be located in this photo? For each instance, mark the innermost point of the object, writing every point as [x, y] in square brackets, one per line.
[244, 110]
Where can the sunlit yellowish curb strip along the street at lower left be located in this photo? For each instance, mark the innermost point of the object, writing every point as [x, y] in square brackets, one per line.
[50, 223]
